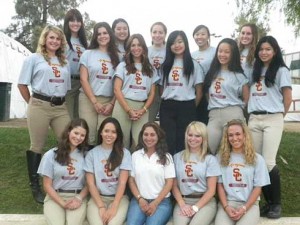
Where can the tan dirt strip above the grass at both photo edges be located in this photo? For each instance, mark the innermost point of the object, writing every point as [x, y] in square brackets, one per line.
[288, 126]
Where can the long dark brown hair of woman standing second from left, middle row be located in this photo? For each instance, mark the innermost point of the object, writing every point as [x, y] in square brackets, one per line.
[112, 48]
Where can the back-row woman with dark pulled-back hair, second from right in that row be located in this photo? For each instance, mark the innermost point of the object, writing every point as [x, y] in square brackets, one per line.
[204, 56]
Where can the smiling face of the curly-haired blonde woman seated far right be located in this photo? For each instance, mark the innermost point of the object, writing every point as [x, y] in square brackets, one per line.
[236, 138]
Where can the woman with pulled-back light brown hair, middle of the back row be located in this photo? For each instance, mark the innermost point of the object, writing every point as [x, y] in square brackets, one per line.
[157, 55]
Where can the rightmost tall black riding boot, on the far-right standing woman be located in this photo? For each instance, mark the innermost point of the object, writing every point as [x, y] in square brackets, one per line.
[275, 194]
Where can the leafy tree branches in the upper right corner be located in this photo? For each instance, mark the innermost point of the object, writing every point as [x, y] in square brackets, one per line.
[291, 9]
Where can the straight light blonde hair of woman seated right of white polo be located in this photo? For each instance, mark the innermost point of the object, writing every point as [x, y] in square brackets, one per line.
[199, 128]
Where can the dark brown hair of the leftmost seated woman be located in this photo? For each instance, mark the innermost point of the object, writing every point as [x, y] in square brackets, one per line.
[63, 149]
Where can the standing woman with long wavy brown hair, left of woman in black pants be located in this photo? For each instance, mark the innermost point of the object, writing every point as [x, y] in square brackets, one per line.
[134, 88]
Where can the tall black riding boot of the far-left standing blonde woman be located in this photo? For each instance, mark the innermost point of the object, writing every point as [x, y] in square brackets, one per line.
[33, 162]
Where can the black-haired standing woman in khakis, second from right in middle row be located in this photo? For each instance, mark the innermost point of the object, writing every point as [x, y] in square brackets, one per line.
[227, 88]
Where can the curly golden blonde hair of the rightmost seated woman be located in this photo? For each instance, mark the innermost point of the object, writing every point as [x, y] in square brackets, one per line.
[225, 147]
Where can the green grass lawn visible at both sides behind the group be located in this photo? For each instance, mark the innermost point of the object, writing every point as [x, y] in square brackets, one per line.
[16, 198]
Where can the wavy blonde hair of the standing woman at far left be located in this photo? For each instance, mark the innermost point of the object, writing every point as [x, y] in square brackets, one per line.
[60, 53]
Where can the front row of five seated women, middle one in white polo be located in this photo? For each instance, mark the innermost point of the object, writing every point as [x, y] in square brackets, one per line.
[237, 173]
